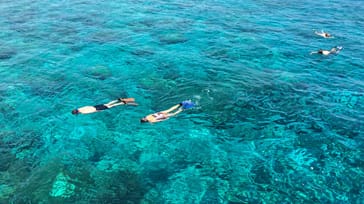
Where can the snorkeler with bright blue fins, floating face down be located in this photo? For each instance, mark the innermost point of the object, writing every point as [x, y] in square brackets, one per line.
[164, 115]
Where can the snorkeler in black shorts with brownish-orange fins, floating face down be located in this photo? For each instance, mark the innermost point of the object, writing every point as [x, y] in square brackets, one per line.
[101, 107]
